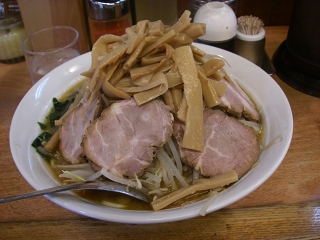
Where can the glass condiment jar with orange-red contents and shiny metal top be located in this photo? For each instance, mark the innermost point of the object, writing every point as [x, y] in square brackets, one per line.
[108, 17]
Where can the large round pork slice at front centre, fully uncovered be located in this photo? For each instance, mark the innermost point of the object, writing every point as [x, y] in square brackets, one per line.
[125, 139]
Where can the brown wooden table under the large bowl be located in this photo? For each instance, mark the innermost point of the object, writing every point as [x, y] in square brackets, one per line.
[286, 206]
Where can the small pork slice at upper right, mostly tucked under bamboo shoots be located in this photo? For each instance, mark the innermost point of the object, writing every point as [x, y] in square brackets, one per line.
[237, 103]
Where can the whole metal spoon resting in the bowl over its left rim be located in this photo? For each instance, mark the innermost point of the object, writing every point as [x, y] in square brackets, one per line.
[104, 185]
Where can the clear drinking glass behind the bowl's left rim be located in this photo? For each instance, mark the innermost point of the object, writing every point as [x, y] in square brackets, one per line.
[48, 48]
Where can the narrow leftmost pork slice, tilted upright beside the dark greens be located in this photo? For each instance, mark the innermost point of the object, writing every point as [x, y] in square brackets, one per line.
[73, 128]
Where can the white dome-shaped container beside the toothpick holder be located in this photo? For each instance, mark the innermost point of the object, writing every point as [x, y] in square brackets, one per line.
[220, 20]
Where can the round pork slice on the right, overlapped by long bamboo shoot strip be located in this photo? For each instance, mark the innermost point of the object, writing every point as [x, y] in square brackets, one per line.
[229, 145]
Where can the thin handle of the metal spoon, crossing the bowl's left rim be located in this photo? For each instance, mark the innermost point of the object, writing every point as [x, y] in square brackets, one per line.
[74, 186]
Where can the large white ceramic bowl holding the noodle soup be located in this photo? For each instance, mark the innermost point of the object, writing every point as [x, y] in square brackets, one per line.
[276, 114]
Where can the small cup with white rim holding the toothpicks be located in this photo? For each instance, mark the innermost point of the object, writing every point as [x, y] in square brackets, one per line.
[251, 47]
